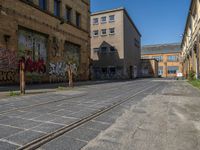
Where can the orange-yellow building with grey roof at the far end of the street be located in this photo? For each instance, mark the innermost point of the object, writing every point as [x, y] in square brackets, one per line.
[168, 56]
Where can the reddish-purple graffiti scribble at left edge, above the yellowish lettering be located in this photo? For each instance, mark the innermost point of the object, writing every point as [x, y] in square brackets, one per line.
[8, 59]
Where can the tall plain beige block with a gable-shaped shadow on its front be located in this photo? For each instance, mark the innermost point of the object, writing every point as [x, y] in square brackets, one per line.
[115, 45]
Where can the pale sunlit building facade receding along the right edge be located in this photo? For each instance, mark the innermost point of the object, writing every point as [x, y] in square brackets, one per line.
[191, 40]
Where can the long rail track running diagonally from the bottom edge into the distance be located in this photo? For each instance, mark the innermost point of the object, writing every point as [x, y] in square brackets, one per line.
[47, 138]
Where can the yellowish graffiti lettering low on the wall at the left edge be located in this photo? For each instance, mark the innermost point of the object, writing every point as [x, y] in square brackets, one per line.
[7, 75]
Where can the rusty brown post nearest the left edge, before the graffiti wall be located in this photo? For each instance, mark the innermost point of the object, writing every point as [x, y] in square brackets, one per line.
[22, 77]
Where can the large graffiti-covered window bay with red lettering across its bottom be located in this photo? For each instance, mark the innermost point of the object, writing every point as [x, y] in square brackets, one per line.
[33, 48]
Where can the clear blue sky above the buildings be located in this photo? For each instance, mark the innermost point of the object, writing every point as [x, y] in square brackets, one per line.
[159, 21]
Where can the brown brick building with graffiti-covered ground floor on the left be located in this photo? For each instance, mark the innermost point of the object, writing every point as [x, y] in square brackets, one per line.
[46, 33]
